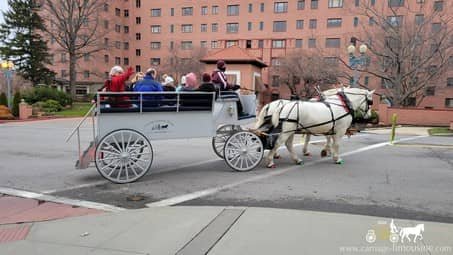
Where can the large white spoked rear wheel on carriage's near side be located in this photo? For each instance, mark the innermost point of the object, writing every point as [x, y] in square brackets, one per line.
[123, 156]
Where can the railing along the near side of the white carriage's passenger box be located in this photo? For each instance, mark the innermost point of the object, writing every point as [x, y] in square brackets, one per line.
[139, 102]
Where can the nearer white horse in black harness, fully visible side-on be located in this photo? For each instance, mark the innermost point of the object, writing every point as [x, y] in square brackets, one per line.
[330, 117]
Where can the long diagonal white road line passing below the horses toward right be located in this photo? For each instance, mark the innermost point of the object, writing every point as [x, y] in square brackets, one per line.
[207, 192]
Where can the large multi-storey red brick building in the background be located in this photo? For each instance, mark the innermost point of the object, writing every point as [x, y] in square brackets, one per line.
[144, 33]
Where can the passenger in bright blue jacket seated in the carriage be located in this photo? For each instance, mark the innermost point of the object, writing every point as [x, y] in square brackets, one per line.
[148, 84]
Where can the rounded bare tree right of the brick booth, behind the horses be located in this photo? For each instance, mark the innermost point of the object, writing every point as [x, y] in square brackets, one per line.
[306, 70]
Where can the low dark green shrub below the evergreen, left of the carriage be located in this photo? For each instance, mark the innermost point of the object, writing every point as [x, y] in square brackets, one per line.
[43, 94]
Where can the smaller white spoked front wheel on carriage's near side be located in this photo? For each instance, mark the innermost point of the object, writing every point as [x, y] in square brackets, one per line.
[243, 151]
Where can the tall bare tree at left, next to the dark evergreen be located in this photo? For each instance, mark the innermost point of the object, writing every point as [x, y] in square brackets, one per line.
[75, 25]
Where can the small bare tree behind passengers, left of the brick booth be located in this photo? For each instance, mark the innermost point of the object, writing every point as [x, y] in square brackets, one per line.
[179, 62]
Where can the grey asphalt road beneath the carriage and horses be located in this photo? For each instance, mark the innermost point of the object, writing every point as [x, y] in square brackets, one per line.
[412, 180]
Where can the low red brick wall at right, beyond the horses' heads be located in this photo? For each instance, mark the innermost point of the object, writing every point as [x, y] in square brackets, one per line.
[416, 116]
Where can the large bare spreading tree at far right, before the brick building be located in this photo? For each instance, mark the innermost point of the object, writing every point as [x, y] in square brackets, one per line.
[409, 45]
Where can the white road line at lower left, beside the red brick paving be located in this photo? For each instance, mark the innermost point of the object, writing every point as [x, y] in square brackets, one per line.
[61, 200]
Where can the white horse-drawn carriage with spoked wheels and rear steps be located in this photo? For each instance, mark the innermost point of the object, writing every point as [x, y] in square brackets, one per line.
[126, 124]
